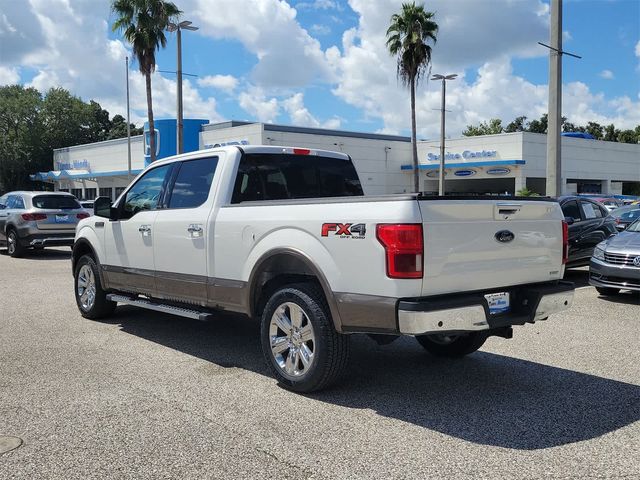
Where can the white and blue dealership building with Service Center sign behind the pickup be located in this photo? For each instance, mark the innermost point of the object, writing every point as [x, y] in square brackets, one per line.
[491, 164]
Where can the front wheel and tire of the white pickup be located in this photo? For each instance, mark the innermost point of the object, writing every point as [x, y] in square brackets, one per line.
[91, 298]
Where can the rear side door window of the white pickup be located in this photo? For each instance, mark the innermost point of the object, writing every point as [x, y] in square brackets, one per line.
[193, 183]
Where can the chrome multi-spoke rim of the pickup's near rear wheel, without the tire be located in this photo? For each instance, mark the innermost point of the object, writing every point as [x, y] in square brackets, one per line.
[292, 340]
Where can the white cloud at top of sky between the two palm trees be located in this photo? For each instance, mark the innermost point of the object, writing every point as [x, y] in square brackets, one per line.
[287, 56]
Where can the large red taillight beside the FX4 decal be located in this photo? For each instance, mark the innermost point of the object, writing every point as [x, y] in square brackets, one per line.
[404, 249]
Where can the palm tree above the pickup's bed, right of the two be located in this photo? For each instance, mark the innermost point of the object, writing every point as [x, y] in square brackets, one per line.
[407, 38]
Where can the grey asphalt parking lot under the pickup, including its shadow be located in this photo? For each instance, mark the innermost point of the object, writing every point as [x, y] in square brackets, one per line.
[147, 395]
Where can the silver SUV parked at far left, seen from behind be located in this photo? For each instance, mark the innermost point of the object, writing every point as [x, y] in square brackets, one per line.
[38, 220]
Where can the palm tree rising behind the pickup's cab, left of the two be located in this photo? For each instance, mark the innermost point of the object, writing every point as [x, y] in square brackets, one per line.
[143, 23]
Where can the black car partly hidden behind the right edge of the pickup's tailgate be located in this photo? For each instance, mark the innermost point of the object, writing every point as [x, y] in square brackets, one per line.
[589, 224]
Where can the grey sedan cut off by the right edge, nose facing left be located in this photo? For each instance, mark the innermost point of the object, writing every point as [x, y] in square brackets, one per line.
[615, 264]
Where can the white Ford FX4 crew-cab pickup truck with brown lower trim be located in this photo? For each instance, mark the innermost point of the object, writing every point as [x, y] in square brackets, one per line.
[286, 236]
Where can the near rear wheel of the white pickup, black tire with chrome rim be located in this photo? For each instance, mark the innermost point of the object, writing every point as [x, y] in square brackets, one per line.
[299, 341]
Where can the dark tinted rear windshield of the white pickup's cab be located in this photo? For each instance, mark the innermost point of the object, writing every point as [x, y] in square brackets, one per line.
[283, 176]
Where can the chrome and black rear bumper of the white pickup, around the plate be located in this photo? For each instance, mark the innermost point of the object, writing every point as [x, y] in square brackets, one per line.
[469, 312]
